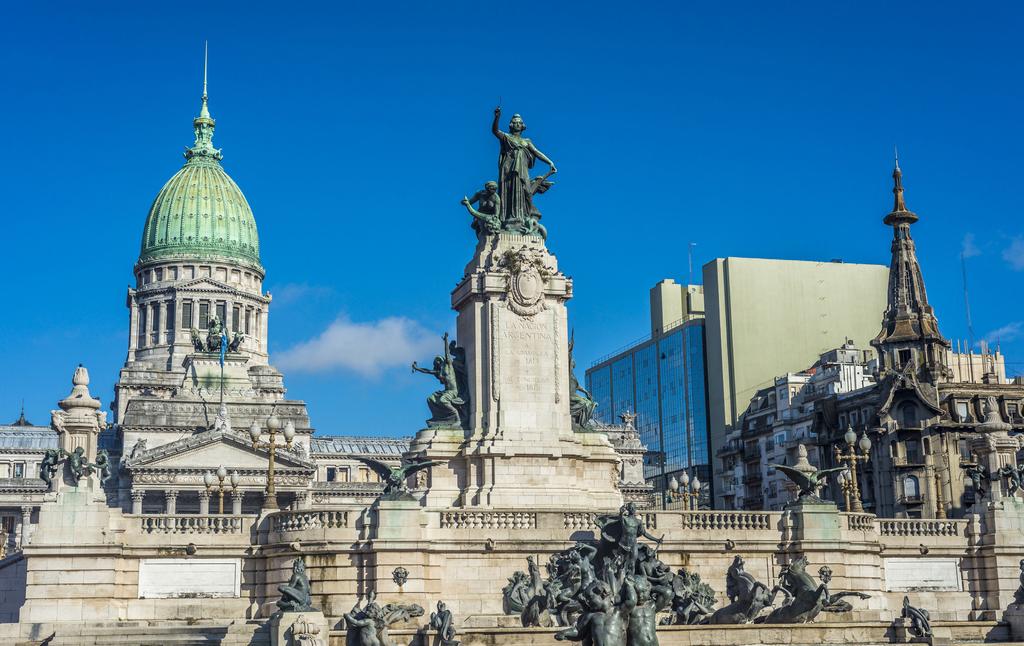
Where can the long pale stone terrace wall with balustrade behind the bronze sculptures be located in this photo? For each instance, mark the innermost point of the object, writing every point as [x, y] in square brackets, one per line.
[955, 569]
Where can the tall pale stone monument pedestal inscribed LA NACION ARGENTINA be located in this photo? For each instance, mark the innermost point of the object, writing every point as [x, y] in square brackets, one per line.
[518, 448]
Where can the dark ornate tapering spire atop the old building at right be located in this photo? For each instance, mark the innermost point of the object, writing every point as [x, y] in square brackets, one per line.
[910, 340]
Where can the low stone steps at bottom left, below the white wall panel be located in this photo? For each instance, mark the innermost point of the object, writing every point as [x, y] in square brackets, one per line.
[163, 634]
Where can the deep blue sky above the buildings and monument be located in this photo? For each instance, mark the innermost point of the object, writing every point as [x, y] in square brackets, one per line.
[752, 130]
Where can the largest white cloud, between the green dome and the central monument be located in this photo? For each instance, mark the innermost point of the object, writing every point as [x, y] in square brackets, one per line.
[365, 349]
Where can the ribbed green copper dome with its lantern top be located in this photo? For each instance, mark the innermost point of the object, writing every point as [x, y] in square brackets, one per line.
[201, 213]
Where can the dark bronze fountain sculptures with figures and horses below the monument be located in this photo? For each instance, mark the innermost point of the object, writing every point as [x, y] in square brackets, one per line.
[612, 593]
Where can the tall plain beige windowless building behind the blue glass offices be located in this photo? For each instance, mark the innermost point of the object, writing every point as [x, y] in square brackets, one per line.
[769, 318]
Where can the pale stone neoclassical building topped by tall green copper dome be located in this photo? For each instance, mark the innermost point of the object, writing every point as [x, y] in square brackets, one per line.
[198, 374]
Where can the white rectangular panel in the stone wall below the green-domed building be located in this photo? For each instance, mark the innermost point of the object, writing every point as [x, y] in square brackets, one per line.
[190, 579]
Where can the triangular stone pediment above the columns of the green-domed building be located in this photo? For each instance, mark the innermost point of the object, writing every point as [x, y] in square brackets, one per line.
[210, 450]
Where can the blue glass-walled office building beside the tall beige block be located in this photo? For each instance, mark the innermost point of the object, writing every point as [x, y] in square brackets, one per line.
[663, 381]
